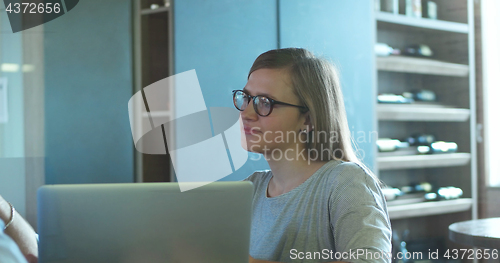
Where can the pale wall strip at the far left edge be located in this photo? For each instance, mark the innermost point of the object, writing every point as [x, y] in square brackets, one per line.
[22, 136]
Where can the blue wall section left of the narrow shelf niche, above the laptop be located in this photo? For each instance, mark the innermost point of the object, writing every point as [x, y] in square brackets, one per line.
[88, 82]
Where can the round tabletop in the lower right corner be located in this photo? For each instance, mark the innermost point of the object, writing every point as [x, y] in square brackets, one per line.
[481, 233]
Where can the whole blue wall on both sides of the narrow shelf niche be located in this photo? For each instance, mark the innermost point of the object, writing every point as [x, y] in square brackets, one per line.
[89, 71]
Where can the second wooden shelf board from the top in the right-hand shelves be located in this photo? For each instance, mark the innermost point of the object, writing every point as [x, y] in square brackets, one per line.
[421, 66]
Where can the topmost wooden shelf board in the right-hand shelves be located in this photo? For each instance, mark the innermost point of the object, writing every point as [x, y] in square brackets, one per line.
[423, 22]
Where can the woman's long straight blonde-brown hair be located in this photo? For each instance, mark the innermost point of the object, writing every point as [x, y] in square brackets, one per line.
[316, 83]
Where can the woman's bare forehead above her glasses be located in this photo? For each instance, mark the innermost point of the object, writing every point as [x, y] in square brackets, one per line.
[273, 83]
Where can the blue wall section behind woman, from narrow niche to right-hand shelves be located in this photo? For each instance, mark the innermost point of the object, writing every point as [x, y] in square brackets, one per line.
[221, 39]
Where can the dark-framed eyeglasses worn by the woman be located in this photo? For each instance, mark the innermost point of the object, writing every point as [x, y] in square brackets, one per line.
[261, 104]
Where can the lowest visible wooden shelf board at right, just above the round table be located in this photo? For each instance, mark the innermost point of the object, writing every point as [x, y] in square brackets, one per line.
[429, 208]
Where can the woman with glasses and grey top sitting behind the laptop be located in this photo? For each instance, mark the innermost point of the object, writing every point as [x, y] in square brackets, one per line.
[318, 203]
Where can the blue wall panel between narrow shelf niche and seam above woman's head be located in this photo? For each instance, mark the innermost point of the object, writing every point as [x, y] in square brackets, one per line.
[220, 40]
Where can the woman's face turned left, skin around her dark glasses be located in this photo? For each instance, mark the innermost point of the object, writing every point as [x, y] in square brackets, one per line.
[278, 131]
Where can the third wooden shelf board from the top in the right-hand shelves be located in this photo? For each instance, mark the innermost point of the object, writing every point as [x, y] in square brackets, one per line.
[420, 112]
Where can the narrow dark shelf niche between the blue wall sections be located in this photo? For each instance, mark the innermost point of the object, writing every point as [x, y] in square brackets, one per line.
[153, 60]
